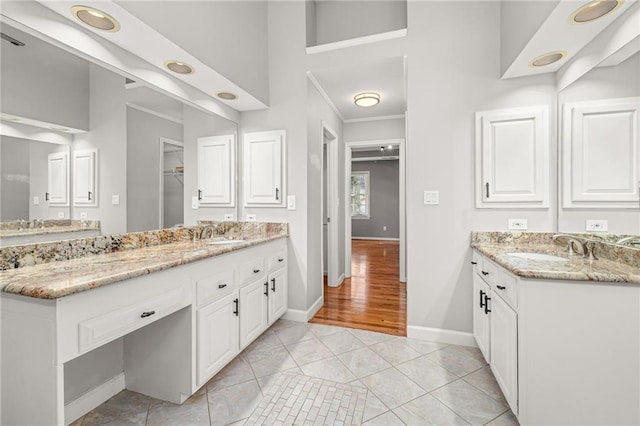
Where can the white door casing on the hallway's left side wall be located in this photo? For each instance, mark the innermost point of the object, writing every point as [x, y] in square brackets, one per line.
[334, 279]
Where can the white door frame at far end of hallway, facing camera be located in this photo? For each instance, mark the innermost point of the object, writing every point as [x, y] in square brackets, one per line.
[402, 199]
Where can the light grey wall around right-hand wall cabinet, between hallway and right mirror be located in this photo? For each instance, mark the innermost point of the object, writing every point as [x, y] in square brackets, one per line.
[443, 97]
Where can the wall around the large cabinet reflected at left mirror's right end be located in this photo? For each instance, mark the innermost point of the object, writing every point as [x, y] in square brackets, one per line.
[199, 124]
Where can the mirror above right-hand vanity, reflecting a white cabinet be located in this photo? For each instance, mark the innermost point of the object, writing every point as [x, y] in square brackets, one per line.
[599, 166]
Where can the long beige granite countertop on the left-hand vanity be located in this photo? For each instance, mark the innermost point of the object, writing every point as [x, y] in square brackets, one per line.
[58, 279]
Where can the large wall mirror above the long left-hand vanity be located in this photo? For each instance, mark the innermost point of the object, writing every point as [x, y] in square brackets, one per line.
[145, 141]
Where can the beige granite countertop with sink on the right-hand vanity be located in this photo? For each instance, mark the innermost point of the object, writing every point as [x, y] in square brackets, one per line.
[576, 268]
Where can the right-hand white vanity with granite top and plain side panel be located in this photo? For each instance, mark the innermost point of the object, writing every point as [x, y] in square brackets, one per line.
[560, 332]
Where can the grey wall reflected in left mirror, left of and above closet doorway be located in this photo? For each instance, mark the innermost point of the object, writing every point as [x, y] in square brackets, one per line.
[144, 131]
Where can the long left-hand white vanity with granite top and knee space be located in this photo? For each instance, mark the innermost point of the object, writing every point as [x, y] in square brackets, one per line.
[168, 316]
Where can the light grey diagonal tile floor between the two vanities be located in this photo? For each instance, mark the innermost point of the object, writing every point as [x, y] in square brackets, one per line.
[312, 374]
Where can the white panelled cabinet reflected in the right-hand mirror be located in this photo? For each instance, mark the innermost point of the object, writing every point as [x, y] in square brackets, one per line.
[601, 154]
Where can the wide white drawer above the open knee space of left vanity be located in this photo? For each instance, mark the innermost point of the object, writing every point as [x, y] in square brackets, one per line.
[97, 331]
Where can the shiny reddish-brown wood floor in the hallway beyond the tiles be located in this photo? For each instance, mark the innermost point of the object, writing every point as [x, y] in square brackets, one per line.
[373, 298]
